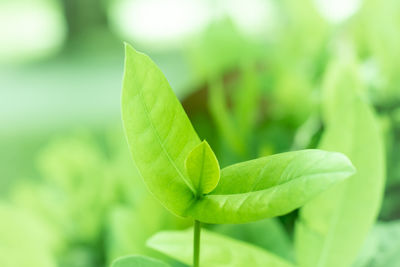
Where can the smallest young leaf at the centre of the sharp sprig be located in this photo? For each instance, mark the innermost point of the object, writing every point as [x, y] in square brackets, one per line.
[202, 168]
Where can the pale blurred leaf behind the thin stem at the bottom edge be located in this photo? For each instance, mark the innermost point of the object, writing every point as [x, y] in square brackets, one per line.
[216, 250]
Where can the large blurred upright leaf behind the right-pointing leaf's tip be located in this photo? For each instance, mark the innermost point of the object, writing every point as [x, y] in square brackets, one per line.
[333, 226]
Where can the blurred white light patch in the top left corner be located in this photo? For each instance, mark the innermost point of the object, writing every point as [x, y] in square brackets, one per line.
[29, 29]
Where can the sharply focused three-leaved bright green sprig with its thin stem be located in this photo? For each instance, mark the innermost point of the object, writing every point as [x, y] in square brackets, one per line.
[183, 173]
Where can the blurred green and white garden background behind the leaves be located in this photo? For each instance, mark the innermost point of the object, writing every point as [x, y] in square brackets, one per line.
[247, 72]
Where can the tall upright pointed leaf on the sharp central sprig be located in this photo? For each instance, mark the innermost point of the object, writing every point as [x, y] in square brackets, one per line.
[159, 133]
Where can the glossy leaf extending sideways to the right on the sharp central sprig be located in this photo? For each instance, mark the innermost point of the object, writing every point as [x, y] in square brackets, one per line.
[270, 186]
